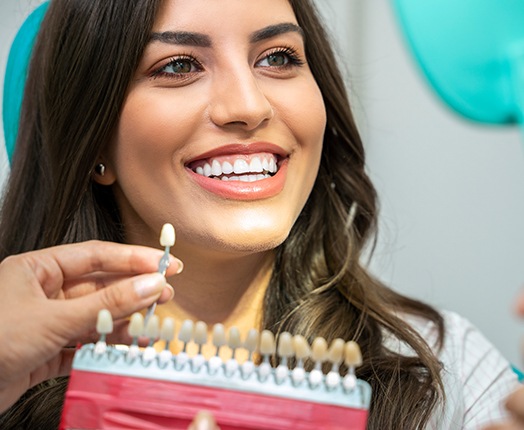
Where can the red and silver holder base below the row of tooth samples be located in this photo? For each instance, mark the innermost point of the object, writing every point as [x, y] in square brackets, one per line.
[281, 405]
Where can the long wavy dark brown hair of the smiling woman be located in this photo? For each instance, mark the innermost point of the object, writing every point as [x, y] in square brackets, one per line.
[86, 54]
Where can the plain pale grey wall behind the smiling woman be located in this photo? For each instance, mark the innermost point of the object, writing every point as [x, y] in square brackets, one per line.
[451, 191]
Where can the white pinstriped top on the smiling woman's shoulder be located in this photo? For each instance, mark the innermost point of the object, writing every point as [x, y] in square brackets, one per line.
[476, 376]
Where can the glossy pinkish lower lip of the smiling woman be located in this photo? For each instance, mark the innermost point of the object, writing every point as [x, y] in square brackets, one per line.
[237, 190]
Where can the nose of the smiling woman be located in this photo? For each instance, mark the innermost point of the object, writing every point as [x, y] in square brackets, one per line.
[237, 100]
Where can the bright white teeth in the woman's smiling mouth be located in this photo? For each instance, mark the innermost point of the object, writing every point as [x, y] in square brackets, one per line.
[246, 170]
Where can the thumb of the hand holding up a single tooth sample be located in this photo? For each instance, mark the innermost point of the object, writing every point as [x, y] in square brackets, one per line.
[121, 299]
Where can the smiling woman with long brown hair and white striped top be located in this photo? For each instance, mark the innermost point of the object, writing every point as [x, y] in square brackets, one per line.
[230, 120]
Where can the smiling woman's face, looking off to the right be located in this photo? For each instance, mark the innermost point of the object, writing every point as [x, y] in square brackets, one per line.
[221, 132]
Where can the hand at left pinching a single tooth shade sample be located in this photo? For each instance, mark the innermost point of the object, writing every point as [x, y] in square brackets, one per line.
[50, 299]
